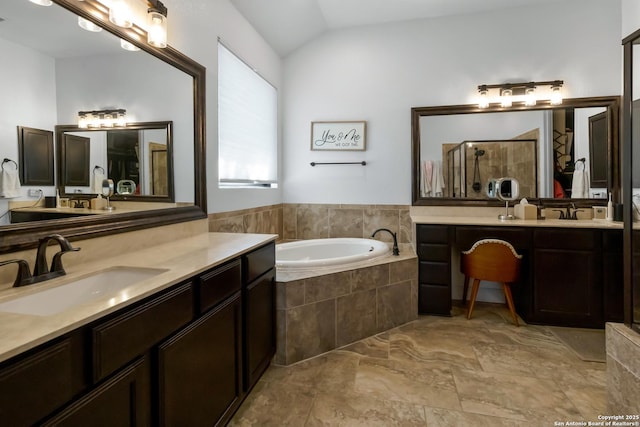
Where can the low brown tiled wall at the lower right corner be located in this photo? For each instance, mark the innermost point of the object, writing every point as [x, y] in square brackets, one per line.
[623, 369]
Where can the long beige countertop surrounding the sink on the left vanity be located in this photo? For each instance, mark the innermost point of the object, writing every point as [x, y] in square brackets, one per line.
[182, 258]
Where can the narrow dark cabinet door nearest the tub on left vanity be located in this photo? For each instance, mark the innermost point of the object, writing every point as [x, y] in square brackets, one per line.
[260, 328]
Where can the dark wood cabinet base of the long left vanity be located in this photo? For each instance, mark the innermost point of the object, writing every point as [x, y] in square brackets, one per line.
[187, 355]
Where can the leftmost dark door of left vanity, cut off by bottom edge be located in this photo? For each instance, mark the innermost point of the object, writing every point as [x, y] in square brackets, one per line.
[122, 400]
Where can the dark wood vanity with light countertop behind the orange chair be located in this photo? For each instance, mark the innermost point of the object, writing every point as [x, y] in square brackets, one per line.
[571, 273]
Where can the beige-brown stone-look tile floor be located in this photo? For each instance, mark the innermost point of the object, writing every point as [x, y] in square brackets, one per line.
[435, 371]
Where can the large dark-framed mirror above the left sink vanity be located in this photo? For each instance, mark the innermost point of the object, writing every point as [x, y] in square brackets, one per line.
[58, 69]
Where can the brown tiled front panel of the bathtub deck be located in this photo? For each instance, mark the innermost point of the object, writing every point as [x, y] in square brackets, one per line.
[324, 311]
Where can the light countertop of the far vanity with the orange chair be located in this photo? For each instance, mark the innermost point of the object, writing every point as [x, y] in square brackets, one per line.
[494, 221]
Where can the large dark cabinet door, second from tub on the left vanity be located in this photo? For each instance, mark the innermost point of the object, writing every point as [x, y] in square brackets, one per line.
[200, 378]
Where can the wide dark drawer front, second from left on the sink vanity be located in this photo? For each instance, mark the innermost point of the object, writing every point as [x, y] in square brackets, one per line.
[131, 334]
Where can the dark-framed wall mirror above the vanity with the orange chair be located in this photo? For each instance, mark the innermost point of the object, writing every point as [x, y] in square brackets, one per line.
[458, 150]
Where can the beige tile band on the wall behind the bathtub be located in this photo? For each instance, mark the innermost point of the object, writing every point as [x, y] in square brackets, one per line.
[314, 221]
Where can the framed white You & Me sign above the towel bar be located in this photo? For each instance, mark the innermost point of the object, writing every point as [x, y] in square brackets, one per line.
[342, 136]
